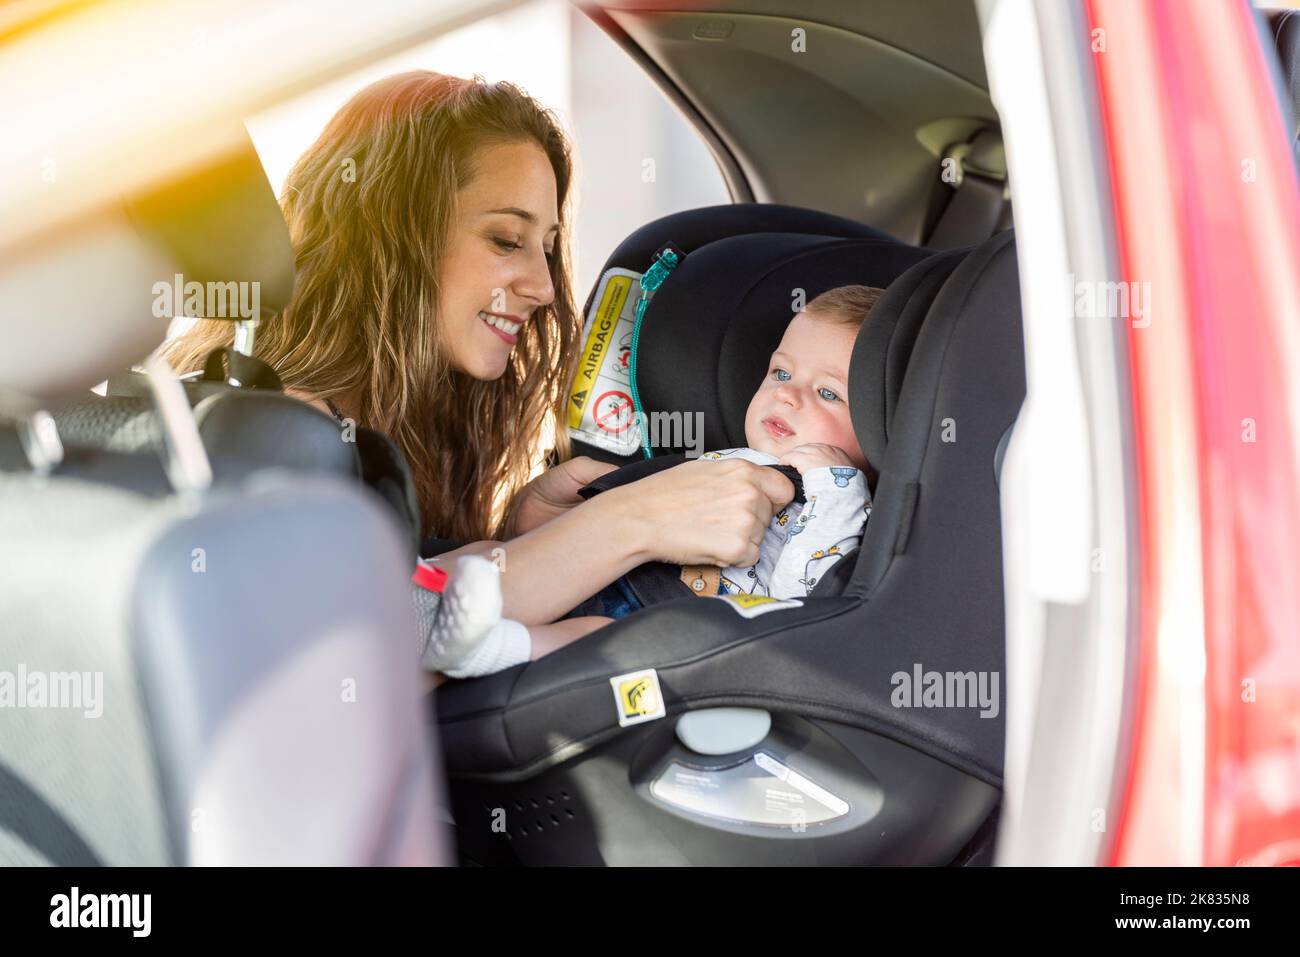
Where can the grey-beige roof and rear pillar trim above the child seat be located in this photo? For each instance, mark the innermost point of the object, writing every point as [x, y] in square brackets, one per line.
[856, 125]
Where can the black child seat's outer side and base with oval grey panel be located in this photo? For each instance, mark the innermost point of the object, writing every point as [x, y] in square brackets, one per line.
[782, 737]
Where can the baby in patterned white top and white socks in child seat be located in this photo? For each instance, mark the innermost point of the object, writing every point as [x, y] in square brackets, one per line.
[799, 417]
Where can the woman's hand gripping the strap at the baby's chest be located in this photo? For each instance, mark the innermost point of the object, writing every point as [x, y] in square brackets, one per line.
[704, 513]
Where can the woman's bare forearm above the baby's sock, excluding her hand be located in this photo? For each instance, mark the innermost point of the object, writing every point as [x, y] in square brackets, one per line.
[557, 566]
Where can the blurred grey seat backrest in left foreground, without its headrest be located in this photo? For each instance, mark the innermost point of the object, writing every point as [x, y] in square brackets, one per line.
[229, 642]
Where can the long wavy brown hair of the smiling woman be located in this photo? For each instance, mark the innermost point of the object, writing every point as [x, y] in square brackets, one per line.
[363, 318]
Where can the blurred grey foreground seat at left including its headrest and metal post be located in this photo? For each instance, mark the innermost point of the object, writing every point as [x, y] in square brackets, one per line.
[226, 669]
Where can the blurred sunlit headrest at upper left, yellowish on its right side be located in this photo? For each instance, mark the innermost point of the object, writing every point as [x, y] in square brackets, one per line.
[83, 302]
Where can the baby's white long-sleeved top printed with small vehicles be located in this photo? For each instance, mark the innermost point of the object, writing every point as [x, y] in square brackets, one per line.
[804, 542]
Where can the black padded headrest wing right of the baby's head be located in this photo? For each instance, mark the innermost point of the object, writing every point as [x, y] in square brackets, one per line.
[885, 347]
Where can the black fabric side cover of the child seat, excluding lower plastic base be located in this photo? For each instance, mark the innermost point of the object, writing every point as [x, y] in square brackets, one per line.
[937, 607]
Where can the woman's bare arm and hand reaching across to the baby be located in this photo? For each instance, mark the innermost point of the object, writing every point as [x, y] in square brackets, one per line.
[699, 513]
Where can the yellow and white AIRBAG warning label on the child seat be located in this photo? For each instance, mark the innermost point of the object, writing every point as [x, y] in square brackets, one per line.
[600, 405]
